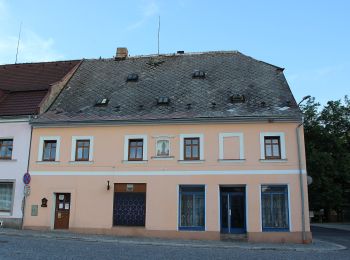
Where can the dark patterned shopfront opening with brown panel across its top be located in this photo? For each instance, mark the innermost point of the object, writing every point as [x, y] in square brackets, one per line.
[129, 205]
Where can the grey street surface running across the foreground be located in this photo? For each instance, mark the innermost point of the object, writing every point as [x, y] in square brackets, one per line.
[50, 247]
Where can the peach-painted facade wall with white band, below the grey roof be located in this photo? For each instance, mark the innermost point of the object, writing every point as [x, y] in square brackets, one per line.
[232, 157]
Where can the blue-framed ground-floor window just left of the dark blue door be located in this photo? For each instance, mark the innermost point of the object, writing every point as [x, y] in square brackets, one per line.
[192, 207]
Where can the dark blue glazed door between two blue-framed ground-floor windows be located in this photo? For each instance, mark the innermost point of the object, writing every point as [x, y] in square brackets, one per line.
[233, 219]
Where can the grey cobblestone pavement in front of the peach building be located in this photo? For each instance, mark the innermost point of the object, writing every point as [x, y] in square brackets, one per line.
[64, 245]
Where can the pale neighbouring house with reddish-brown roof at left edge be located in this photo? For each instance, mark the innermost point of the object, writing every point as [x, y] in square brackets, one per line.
[25, 90]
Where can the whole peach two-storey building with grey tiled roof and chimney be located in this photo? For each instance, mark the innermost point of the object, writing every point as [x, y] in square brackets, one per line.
[184, 145]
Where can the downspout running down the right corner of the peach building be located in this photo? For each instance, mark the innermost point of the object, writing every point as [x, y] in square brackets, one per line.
[301, 182]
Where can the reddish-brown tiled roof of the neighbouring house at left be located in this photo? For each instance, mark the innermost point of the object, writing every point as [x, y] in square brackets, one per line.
[25, 85]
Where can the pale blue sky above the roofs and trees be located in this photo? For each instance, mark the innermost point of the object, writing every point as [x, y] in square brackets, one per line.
[310, 39]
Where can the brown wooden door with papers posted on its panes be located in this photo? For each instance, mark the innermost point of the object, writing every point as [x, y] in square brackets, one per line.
[62, 210]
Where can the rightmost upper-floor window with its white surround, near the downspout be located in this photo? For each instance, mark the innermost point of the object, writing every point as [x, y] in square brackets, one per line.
[272, 146]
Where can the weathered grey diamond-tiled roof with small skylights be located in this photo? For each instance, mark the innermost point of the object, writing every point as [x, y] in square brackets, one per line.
[227, 73]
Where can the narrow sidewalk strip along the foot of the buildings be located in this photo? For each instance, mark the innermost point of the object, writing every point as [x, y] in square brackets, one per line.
[317, 245]
